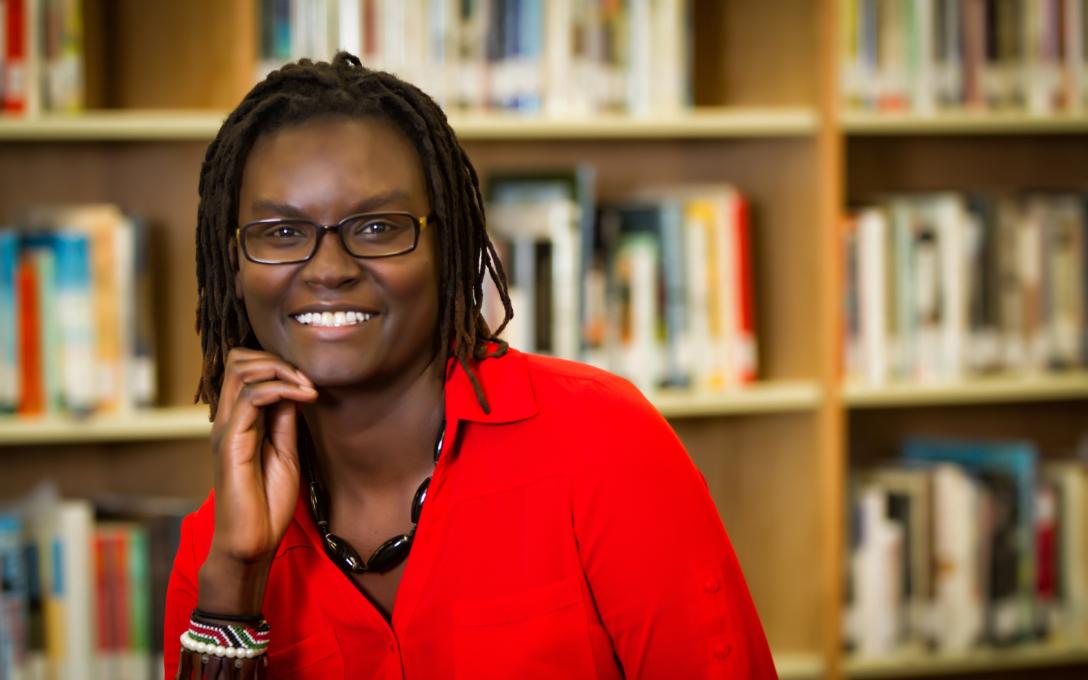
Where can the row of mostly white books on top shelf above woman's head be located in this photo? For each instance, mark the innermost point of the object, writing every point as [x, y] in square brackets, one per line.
[554, 58]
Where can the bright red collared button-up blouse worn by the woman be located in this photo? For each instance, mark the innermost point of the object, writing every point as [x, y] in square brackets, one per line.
[567, 535]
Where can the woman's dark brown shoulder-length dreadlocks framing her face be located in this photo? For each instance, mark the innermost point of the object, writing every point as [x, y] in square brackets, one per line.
[305, 91]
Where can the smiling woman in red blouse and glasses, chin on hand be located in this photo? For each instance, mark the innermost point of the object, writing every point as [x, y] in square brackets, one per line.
[363, 410]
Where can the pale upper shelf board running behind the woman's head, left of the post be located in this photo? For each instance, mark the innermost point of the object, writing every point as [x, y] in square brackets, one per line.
[203, 126]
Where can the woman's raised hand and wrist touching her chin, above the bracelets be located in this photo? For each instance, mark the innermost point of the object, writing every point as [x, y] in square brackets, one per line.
[257, 477]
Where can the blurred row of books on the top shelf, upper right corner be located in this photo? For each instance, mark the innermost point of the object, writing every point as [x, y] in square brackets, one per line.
[925, 56]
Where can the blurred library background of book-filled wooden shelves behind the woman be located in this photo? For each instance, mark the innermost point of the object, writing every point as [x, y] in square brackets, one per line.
[842, 245]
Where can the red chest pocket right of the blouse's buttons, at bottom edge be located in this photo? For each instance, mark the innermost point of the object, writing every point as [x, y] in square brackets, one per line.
[540, 633]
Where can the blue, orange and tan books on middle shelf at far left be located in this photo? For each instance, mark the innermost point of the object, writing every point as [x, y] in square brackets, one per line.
[77, 332]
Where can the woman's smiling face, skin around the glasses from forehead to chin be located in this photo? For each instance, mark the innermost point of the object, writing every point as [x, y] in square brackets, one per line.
[324, 171]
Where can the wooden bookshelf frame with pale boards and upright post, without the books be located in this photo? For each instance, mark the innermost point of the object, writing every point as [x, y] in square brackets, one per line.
[776, 456]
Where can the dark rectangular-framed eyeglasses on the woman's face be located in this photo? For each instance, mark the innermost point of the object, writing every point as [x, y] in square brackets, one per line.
[364, 236]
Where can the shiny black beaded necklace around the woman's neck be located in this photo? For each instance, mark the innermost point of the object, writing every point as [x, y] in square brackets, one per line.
[388, 555]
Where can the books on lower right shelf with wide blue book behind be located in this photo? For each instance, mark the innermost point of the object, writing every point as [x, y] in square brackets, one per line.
[961, 545]
